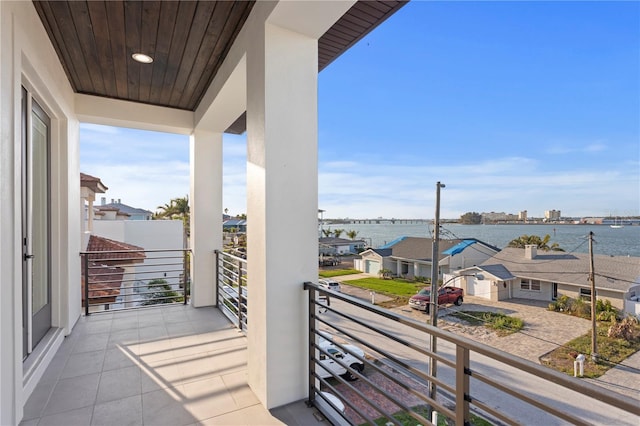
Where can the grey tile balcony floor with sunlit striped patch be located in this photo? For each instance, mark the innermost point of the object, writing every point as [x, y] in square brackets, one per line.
[172, 366]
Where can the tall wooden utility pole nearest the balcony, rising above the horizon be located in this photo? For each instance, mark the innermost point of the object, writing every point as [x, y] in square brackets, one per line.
[433, 304]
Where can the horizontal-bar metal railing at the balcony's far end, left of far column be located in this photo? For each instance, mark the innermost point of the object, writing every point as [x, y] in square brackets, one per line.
[130, 279]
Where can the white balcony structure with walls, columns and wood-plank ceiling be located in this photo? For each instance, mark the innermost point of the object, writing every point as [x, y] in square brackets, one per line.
[232, 67]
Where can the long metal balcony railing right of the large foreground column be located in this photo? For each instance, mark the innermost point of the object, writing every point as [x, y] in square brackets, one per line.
[393, 385]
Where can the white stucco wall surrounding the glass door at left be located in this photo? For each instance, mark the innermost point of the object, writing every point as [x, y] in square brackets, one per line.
[27, 58]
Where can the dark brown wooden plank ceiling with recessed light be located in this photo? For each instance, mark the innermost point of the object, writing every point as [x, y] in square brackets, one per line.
[188, 41]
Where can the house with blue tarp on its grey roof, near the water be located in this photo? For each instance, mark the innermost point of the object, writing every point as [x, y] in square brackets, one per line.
[412, 257]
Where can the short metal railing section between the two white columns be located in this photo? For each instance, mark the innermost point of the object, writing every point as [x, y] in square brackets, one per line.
[231, 273]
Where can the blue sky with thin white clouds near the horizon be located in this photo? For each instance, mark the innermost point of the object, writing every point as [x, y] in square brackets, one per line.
[513, 105]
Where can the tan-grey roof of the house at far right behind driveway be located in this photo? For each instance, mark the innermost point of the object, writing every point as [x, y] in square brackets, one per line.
[611, 272]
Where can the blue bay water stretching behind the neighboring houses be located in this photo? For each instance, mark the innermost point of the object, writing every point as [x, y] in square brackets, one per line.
[572, 238]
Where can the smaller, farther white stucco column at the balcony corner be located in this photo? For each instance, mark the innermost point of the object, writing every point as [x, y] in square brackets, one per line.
[205, 203]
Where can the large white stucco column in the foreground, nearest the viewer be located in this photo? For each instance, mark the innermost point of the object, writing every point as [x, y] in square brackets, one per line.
[282, 209]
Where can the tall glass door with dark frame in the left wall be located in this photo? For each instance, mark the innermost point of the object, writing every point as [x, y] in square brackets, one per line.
[35, 223]
